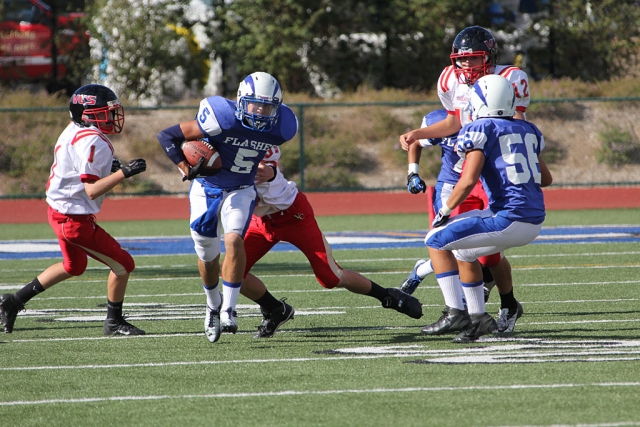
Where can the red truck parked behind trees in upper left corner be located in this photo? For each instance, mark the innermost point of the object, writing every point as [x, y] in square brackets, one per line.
[27, 49]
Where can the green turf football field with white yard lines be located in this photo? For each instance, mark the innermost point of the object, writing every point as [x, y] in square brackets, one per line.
[343, 360]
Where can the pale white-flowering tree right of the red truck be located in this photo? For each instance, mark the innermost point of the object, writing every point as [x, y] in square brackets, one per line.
[143, 49]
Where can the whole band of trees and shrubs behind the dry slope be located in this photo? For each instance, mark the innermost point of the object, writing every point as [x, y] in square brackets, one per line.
[146, 49]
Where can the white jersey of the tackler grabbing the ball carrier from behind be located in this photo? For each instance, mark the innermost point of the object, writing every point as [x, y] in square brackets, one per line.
[278, 194]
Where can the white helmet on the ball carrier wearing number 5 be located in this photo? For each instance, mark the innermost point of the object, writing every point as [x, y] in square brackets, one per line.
[259, 98]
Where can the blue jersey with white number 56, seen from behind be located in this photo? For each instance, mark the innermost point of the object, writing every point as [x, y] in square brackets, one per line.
[511, 173]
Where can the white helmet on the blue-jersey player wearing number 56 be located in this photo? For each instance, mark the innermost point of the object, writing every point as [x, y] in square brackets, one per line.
[492, 96]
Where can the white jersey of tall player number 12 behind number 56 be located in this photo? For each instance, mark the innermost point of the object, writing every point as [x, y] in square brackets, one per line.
[454, 94]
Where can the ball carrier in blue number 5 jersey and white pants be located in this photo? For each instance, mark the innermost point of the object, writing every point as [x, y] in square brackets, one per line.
[223, 199]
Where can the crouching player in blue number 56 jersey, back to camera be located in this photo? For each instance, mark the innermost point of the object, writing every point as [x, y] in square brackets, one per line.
[504, 153]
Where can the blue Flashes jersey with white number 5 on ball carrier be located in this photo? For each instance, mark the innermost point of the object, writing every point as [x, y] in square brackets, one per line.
[241, 149]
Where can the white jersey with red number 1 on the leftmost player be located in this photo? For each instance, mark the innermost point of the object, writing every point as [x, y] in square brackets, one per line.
[82, 154]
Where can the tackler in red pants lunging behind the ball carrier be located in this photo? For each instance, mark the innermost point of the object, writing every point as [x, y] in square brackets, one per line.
[283, 213]
